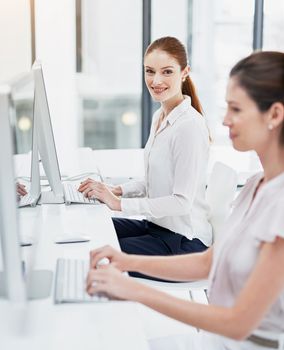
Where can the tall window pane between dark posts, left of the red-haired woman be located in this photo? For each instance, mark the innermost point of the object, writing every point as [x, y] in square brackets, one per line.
[110, 81]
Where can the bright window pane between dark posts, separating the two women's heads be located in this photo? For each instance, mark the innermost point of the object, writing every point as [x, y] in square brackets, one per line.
[222, 34]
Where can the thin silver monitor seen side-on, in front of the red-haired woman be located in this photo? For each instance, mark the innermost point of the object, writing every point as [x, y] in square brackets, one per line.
[43, 142]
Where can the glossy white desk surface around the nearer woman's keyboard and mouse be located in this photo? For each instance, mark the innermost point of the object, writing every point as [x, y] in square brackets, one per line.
[43, 325]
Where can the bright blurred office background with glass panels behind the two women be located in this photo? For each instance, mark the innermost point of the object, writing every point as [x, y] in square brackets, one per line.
[92, 56]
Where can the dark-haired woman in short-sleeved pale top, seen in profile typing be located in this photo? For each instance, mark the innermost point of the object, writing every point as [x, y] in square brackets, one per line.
[245, 266]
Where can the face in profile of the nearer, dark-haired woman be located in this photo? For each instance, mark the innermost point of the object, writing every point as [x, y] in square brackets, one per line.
[247, 124]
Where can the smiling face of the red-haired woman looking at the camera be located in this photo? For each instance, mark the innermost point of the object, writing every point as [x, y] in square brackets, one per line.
[163, 76]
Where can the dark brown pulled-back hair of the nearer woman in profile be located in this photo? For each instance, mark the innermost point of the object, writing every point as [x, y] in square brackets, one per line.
[261, 75]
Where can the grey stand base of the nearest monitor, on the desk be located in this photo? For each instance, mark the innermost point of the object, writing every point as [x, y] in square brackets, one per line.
[38, 285]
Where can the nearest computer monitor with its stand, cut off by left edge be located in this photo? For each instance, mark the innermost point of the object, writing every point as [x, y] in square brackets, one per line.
[15, 285]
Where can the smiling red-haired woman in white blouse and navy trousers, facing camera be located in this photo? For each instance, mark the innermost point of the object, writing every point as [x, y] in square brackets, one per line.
[172, 197]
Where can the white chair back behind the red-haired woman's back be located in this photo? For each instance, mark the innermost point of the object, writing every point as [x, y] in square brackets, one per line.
[220, 193]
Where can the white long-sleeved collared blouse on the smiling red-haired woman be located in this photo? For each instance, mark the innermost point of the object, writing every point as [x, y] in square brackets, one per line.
[176, 158]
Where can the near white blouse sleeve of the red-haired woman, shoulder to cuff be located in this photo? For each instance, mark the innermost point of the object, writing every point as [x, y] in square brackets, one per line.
[189, 155]
